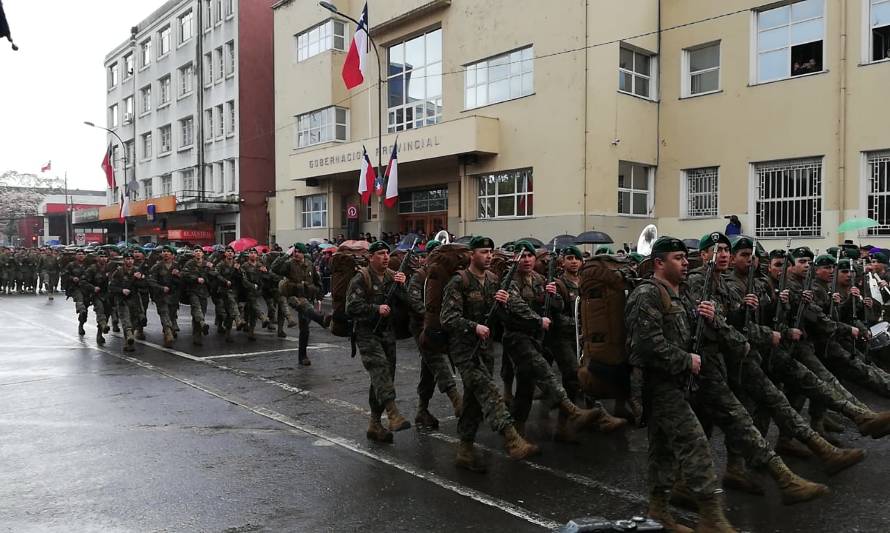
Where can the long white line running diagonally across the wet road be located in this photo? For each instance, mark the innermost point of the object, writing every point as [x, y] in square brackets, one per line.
[342, 442]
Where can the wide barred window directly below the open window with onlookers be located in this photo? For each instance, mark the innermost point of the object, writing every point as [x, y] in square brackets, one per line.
[789, 199]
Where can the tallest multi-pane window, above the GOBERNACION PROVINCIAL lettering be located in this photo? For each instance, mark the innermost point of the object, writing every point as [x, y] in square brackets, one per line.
[415, 82]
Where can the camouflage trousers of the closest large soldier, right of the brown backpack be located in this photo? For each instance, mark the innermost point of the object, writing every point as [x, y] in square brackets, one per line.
[677, 444]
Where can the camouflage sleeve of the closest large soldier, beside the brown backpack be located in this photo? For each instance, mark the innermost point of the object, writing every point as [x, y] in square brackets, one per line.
[644, 321]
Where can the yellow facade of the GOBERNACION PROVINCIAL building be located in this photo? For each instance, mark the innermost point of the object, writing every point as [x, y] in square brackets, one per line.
[528, 118]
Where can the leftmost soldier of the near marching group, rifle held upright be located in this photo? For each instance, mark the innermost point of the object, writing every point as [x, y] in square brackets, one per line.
[367, 305]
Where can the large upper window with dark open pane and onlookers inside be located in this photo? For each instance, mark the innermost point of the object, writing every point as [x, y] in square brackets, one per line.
[790, 40]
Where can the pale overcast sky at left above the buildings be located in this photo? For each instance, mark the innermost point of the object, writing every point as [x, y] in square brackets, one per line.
[57, 80]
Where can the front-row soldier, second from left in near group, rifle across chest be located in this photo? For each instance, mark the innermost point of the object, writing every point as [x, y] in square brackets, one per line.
[467, 299]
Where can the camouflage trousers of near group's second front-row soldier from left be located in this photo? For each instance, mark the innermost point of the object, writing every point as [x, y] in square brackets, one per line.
[482, 399]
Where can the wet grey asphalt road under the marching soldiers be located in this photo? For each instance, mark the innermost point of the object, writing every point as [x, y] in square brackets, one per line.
[238, 437]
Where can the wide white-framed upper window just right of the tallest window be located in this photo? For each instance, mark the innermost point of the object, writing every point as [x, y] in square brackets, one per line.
[499, 78]
